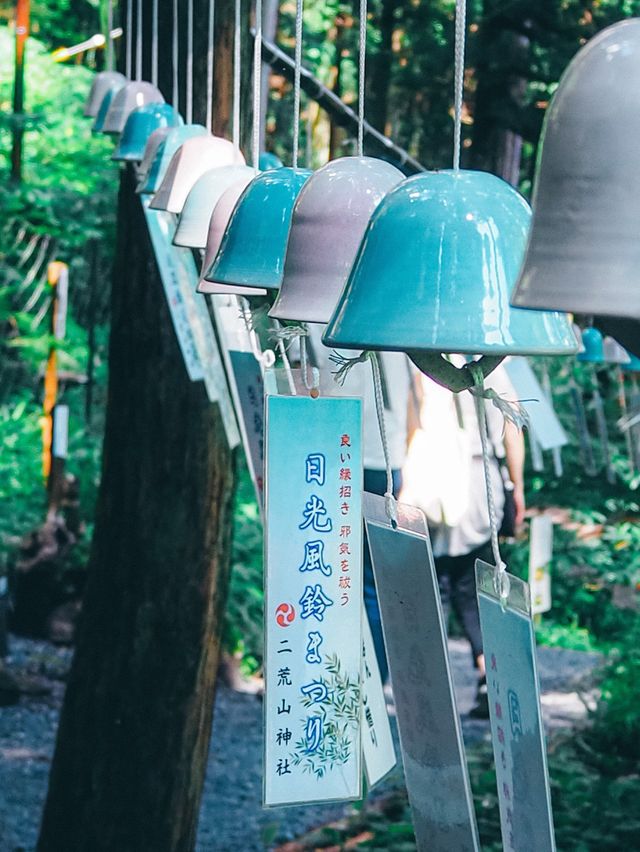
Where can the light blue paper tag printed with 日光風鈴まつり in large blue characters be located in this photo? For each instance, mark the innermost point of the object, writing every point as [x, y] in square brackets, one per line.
[313, 598]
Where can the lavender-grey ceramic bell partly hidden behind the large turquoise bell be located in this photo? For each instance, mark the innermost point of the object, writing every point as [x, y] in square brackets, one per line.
[329, 220]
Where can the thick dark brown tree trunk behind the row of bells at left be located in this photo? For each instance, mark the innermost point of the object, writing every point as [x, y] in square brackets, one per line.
[134, 733]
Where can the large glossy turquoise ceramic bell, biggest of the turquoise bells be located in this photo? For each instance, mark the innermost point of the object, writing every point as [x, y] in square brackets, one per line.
[435, 271]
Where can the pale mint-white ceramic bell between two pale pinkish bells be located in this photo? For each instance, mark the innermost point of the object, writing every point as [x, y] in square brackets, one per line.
[193, 225]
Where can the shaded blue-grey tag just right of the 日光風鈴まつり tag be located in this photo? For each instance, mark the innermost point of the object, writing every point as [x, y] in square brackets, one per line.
[430, 735]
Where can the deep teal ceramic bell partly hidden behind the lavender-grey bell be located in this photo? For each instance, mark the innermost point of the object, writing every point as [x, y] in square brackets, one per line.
[260, 222]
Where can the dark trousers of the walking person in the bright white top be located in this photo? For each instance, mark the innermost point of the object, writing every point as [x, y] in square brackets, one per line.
[457, 580]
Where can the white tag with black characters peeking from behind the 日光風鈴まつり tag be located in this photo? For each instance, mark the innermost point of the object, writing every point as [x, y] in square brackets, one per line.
[377, 740]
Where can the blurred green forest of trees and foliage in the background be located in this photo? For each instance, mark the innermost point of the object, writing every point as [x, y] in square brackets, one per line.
[65, 209]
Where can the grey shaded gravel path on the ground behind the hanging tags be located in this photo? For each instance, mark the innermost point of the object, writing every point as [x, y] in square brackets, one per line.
[232, 819]
